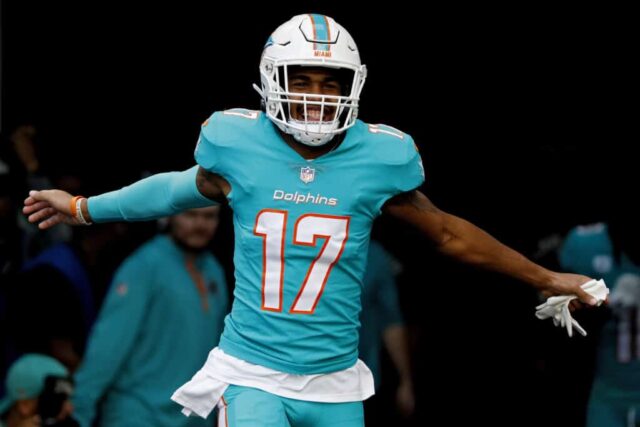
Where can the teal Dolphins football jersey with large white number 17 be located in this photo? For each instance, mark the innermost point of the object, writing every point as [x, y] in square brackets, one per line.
[301, 235]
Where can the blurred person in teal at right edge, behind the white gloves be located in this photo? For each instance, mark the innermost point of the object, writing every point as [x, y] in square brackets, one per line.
[611, 250]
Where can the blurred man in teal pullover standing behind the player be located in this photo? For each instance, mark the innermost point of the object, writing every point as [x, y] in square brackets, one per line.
[163, 313]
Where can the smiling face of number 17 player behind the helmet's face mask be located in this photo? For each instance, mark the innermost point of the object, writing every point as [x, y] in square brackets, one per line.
[314, 80]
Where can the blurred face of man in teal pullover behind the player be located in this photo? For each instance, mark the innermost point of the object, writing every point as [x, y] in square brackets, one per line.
[194, 229]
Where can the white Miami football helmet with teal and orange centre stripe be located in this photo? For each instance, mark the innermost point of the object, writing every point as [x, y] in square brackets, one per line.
[313, 41]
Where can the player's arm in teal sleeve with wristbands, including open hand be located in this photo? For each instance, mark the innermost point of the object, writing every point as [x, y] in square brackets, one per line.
[154, 197]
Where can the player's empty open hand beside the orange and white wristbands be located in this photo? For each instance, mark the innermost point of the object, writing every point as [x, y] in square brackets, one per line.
[48, 208]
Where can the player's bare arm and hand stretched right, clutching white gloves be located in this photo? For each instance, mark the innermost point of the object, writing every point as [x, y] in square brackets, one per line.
[466, 242]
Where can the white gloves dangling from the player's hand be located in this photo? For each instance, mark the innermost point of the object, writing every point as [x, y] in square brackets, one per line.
[558, 307]
